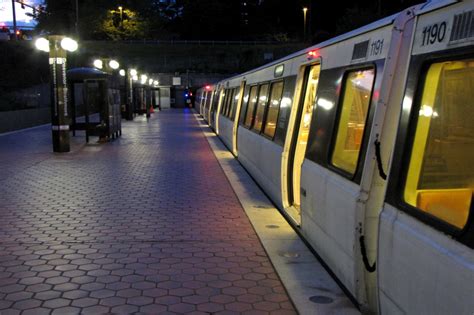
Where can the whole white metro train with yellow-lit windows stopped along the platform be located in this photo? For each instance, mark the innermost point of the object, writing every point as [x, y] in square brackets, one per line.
[365, 143]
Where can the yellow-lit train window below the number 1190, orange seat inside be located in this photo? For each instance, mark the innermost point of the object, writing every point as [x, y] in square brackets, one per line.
[440, 179]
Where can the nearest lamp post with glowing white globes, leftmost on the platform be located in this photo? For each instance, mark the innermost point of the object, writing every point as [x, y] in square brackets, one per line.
[57, 46]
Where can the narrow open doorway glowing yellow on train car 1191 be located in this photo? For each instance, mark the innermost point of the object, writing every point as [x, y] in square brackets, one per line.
[300, 139]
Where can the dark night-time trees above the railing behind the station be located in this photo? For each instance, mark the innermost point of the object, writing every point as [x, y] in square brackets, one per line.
[276, 20]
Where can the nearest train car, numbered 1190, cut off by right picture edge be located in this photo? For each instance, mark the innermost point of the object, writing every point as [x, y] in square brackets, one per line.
[426, 230]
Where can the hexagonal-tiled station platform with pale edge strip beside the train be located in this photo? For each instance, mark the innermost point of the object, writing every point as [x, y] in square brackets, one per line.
[160, 220]
